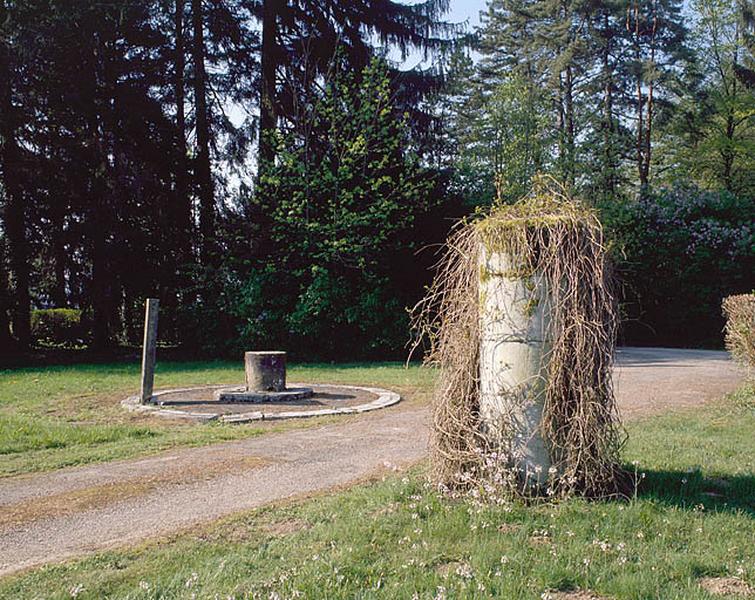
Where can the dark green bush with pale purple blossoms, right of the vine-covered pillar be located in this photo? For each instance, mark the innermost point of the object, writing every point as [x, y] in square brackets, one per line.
[679, 252]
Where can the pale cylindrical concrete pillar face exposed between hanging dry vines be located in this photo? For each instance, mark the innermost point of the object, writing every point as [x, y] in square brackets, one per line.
[513, 325]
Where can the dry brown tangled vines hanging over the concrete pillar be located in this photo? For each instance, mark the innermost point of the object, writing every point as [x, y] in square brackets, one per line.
[559, 239]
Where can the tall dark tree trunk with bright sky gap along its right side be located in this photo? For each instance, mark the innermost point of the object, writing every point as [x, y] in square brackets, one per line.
[203, 168]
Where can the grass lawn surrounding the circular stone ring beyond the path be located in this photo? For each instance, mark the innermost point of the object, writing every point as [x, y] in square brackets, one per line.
[67, 415]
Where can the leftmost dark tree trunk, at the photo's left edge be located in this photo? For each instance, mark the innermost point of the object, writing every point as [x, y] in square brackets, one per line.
[14, 217]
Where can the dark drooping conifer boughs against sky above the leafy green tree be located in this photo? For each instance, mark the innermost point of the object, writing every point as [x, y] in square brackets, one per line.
[299, 39]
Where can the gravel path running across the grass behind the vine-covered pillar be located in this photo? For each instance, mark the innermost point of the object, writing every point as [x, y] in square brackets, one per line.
[53, 516]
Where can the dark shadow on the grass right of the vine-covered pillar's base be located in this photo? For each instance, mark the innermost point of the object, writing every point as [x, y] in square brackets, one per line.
[691, 490]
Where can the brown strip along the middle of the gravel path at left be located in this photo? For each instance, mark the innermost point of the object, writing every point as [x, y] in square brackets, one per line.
[67, 503]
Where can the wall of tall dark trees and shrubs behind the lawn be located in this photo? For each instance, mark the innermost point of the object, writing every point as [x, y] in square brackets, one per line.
[268, 171]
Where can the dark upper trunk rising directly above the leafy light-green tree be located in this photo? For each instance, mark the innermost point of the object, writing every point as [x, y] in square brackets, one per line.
[268, 113]
